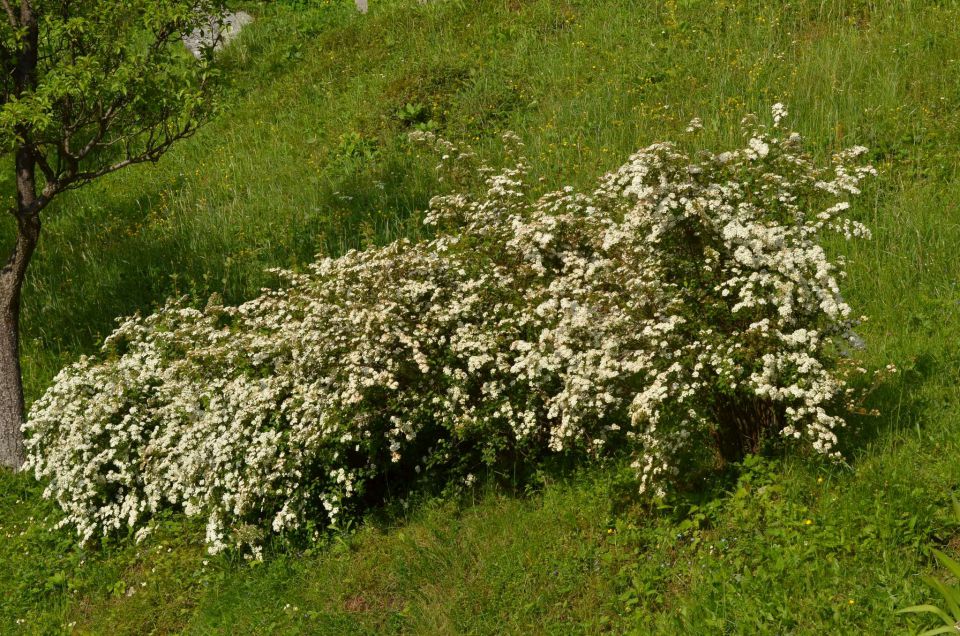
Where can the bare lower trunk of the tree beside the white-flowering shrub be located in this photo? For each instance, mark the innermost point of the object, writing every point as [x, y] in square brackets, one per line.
[12, 452]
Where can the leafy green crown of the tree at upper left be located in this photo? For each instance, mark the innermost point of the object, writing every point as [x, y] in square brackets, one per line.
[115, 64]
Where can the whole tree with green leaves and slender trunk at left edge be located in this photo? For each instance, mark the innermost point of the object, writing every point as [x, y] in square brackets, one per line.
[87, 88]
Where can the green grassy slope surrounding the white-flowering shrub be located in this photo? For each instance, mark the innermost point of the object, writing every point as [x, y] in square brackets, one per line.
[307, 157]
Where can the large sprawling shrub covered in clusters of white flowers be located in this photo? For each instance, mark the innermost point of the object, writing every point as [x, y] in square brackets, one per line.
[686, 303]
